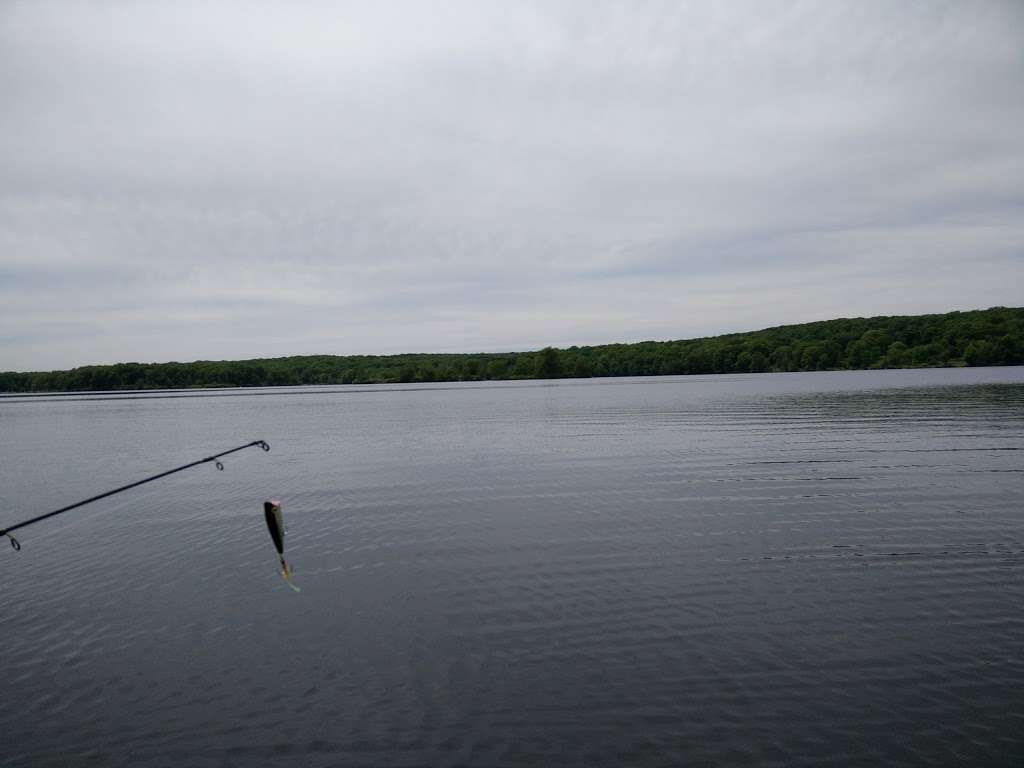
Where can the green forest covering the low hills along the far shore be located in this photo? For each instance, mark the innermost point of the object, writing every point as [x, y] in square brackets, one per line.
[987, 337]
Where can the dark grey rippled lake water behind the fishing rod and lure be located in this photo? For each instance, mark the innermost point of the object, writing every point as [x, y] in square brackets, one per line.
[781, 570]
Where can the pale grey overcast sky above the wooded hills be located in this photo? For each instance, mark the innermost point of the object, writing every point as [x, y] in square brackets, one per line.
[219, 181]
